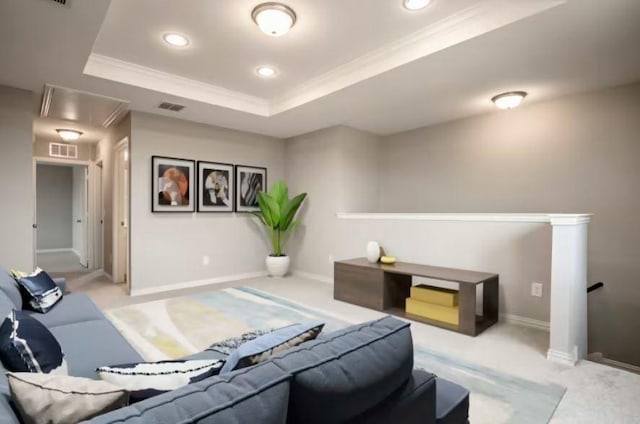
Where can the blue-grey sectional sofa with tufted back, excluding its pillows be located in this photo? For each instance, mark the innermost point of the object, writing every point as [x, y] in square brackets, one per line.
[360, 374]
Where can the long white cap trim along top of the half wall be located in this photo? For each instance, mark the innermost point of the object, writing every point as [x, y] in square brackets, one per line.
[544, 218]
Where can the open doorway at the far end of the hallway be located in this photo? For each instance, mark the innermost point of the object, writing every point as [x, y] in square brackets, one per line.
[62, 210]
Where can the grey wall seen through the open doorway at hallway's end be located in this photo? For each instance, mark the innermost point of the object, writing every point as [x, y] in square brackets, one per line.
[54, 201]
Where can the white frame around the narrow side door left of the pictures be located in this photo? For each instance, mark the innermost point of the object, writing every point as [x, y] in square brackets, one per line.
[122, 145]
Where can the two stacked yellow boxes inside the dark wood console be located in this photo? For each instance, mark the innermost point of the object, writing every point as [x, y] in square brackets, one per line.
[433, 303]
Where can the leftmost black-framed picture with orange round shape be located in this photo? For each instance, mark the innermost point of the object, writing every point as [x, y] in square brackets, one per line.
[173, 183]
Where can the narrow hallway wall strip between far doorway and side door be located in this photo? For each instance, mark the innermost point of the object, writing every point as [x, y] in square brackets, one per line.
[104, 154]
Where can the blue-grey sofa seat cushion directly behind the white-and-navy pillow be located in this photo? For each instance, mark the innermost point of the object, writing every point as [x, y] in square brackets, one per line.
[89, 345]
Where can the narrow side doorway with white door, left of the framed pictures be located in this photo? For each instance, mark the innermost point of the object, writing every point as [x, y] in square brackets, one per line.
[121, 263]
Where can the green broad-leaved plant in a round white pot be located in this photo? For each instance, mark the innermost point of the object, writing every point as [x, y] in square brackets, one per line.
[277, 213]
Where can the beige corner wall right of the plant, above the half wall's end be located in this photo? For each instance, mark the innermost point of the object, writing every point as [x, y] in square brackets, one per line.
[337, 167]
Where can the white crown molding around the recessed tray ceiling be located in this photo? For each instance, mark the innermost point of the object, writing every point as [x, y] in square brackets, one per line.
[469, 23]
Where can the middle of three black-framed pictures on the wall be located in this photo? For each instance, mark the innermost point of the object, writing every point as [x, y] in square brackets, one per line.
[216, 187]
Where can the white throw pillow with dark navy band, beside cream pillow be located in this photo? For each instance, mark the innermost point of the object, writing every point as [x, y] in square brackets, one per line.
[147, 379]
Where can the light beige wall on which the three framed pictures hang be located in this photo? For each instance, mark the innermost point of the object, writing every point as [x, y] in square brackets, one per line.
[168, 248]
